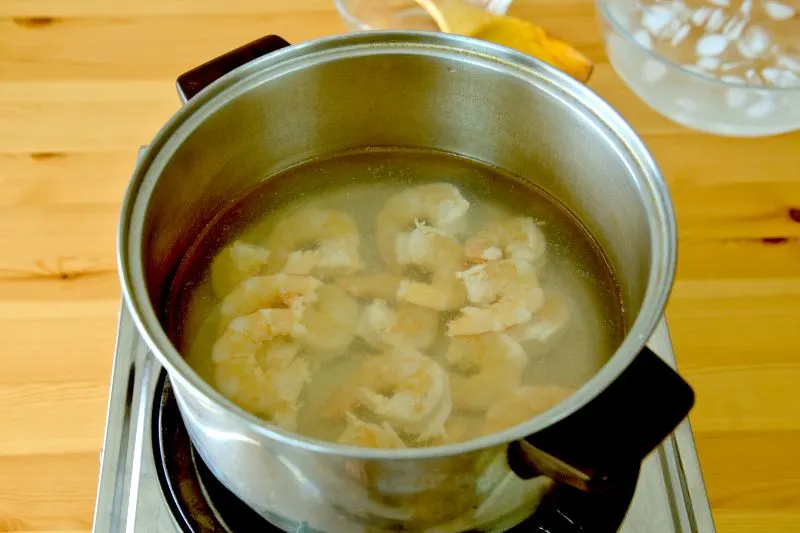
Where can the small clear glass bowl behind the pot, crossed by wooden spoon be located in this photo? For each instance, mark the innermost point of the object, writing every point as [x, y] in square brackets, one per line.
[361, 15]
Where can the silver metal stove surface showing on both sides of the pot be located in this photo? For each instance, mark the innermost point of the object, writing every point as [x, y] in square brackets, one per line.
[669, 497]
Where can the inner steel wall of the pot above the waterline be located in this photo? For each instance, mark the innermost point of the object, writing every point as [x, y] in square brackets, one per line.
[449, 103]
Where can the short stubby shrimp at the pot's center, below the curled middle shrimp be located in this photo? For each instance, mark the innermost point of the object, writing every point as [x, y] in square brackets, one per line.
[384, 326]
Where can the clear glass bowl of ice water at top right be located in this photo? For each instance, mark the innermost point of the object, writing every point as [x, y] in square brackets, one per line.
[728, 67]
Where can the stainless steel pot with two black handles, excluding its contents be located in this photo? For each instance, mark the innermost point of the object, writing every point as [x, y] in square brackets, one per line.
[422, 90]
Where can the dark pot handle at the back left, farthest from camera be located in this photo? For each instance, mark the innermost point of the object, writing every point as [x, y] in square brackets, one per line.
[192, 82]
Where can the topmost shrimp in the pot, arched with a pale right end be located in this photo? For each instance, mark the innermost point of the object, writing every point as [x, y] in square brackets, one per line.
[440, 205]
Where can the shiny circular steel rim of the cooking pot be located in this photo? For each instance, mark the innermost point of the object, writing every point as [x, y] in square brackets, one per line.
[659, 210]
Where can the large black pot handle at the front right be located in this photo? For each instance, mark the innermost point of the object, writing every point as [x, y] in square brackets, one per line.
[604, 441]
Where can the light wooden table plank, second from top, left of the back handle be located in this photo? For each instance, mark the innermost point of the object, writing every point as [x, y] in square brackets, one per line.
[134, 48]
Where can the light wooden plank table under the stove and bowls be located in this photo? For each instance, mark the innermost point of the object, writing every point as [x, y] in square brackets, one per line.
[84, 83]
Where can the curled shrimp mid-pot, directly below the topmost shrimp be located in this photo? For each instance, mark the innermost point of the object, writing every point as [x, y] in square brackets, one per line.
[437, 252]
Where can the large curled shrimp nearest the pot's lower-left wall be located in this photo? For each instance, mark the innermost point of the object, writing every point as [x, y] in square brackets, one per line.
[255, 364]
